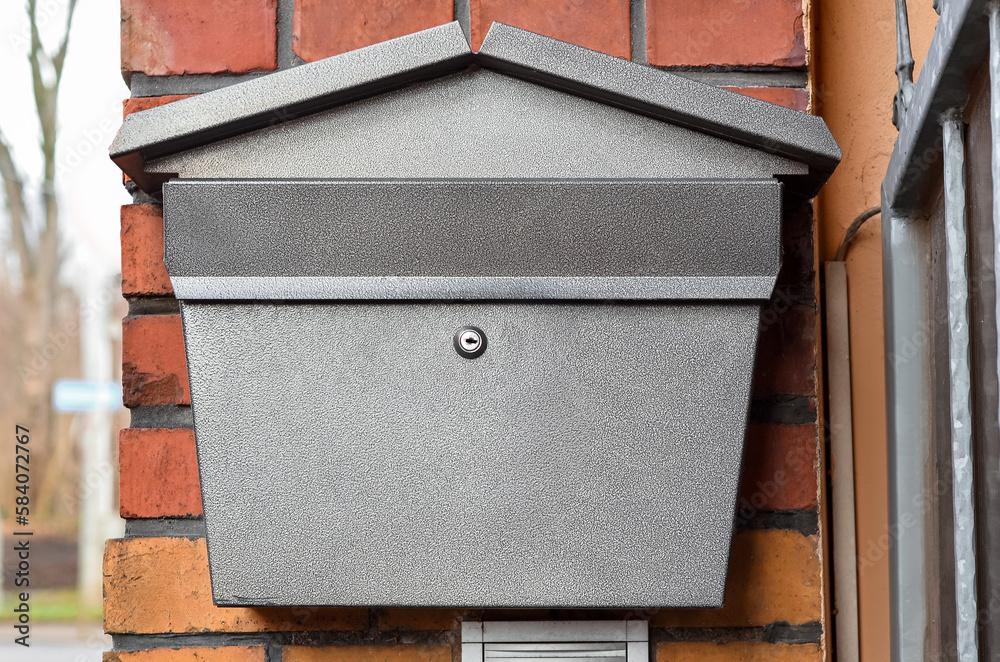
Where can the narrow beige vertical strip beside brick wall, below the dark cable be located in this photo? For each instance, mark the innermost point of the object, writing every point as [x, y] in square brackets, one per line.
[845, 568]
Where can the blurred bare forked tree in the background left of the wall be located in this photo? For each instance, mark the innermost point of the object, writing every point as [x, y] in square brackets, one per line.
[40, 327]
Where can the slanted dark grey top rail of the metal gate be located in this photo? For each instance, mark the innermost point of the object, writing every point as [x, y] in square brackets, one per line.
[957, 49]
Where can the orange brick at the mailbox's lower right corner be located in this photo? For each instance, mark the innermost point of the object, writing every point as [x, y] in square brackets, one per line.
[774, 577]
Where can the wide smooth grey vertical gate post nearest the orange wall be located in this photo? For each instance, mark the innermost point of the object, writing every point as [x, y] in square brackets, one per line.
[909, 422]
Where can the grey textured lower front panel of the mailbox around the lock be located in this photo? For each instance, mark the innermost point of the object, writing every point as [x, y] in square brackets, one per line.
[590, 457]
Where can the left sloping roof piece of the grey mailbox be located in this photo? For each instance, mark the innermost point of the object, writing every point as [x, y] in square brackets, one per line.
[279, 97]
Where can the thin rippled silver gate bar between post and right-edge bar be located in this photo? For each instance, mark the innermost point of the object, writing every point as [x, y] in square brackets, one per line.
[960, 387]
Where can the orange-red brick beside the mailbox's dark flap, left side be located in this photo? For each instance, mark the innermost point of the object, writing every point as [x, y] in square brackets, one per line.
[143, 272]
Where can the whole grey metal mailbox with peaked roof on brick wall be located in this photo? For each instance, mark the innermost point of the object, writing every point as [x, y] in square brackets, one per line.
[472, 329]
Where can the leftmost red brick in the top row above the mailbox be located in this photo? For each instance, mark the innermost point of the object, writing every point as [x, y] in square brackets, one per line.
[197, 37]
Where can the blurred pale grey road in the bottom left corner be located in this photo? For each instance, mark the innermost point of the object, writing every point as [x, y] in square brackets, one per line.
[55, 643]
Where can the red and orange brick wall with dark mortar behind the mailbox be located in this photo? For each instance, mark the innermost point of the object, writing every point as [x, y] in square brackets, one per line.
[157, 594]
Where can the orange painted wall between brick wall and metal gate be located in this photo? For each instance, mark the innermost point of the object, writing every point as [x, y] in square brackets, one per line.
[855, 58]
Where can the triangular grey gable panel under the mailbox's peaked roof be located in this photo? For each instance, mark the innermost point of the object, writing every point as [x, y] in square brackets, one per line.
[476, 123]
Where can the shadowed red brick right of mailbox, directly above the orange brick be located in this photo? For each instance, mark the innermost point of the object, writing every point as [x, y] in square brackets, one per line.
[779, 469]
